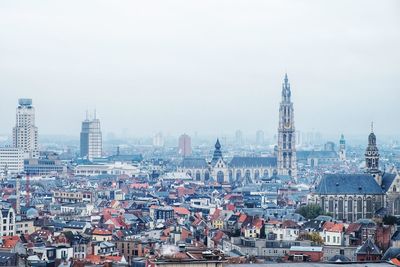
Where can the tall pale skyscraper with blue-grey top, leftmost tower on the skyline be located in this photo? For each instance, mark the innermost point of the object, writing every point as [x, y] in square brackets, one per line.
[25, 133]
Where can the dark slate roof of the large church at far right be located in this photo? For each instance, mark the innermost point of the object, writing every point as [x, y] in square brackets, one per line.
[348, 184]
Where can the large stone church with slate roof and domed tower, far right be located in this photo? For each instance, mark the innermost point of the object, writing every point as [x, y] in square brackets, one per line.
[350, 197]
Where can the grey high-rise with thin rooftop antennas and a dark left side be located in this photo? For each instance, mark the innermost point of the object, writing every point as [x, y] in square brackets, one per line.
[91, 138]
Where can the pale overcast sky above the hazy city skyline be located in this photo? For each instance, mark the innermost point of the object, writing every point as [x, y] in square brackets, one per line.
[206, 66]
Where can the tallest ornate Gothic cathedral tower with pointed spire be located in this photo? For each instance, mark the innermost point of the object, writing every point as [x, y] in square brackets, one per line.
[287, 163]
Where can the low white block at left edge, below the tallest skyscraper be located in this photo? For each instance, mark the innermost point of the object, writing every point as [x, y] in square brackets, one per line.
[11, 160]
